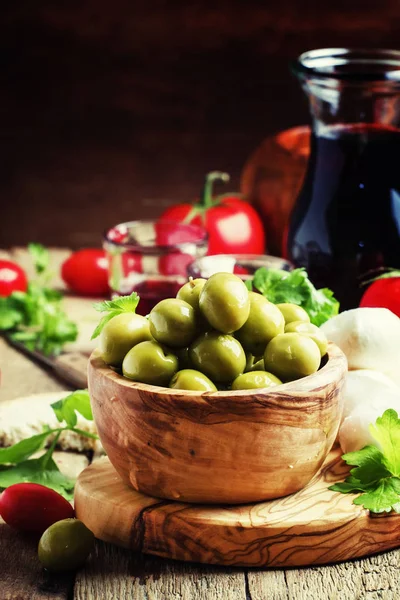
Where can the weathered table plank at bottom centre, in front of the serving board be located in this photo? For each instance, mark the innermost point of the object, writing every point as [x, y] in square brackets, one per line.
[115, 574]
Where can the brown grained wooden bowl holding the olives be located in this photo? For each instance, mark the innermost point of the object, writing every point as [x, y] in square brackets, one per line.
[218, 447]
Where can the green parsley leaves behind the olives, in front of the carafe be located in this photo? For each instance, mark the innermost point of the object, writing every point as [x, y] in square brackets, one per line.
[294, 286]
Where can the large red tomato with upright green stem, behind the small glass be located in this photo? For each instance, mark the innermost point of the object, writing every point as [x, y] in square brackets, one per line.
[233, 225]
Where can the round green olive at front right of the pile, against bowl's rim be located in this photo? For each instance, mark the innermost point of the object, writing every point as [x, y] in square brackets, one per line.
[291, 356]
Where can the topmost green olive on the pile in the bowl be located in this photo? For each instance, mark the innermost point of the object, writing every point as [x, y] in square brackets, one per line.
[224, 301]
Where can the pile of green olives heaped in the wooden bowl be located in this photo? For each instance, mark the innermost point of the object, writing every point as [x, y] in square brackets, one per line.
[215, 335]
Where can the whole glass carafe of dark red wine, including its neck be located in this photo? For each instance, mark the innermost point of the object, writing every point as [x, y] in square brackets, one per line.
[346, 220]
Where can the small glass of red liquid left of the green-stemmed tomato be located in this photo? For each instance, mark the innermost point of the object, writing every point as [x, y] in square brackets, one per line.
[151, 258]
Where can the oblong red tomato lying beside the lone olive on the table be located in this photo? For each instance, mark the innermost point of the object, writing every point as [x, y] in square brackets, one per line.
[33, 507]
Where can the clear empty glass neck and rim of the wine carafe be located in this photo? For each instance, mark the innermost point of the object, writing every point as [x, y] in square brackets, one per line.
[351, 86]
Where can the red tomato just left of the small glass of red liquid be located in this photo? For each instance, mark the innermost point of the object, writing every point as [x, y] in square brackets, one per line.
[86, 272]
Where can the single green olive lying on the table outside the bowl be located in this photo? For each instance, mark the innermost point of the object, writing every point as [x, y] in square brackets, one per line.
[65, 545]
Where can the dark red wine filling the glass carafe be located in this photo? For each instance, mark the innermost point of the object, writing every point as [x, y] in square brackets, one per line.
[346, 221]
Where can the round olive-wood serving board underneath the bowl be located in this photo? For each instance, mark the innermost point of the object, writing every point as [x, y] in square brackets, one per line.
[313, 526]
